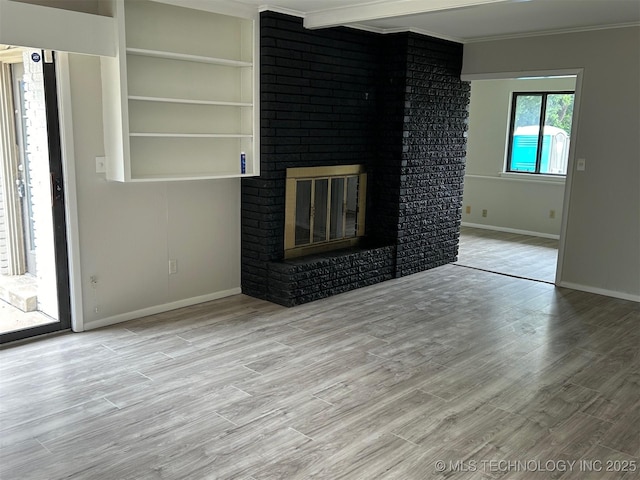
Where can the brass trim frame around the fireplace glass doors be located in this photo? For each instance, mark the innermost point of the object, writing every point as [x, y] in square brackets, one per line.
[313, 173]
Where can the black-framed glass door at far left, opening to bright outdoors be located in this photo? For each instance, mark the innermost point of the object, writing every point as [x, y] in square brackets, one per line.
[32, 268]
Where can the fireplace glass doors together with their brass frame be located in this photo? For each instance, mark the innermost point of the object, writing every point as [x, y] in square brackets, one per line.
[324, 209]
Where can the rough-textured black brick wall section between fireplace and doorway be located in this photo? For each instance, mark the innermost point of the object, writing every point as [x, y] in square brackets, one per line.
[433, 155]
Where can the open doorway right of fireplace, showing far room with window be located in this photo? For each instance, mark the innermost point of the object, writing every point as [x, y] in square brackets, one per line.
[518, 173]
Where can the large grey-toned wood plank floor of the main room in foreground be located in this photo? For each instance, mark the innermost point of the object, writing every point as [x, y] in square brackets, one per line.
[453, 365]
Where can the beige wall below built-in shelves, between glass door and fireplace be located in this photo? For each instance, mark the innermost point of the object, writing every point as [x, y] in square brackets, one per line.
[128, 232]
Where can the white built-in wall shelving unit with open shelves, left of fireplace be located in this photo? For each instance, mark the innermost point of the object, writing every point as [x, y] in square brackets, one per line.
[180, 98]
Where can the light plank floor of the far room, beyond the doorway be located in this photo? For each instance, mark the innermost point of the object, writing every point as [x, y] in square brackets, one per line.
[522, 256]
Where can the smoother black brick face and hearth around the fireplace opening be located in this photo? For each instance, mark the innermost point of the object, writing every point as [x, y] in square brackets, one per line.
[318, 107]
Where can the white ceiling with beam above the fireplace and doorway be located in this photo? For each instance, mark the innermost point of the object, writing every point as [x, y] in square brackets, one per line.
[463, 21]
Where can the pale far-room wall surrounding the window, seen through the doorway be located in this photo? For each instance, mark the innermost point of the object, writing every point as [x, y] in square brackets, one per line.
[523, 203]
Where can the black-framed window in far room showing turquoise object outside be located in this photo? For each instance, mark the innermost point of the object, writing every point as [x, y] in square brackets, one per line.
[539, 132]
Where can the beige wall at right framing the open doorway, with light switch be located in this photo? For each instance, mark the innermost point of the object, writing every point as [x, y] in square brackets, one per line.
[602, 249]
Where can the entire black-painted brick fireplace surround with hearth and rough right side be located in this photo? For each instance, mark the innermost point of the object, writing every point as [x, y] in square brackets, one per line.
[393, 103]
